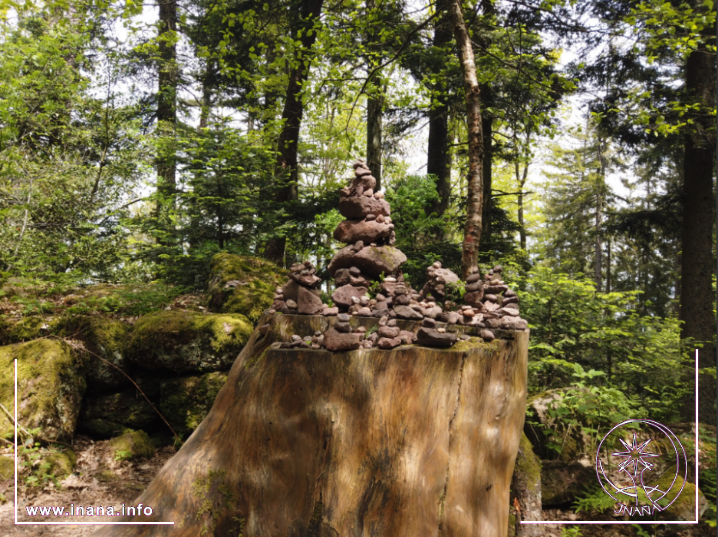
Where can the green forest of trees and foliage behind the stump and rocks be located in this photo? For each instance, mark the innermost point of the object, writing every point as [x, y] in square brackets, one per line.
[138, 140]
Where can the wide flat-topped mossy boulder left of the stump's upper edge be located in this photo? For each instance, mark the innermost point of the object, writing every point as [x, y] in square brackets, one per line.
[188, 342]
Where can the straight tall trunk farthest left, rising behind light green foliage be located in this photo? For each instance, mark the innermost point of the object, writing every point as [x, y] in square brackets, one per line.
[167, 97]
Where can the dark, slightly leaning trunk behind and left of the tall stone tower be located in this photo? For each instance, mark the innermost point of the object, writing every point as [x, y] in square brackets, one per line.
[287, 172]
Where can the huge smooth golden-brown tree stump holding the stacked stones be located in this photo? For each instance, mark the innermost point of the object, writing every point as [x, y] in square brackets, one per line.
[412, 442]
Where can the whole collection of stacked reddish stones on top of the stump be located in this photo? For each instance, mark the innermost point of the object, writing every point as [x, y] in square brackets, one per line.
[369, 234]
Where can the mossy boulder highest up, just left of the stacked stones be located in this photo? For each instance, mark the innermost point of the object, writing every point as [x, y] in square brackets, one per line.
[246, 285]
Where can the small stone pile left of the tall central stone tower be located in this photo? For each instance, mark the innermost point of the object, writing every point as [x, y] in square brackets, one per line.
[301, 293]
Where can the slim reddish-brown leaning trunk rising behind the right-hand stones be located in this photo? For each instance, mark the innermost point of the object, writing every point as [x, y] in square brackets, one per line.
[475, 194]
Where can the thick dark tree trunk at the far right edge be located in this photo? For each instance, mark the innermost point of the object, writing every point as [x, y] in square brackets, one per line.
[697, 258]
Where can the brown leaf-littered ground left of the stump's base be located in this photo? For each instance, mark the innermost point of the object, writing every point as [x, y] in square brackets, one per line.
[98, 480]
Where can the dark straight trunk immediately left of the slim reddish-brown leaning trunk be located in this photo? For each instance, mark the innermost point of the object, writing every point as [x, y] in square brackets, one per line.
[438, 157]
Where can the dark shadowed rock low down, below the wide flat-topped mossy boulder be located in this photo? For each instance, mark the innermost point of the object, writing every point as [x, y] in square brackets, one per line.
[109, 415]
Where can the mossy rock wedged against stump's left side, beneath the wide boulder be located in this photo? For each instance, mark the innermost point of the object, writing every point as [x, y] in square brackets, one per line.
[186, 401]
